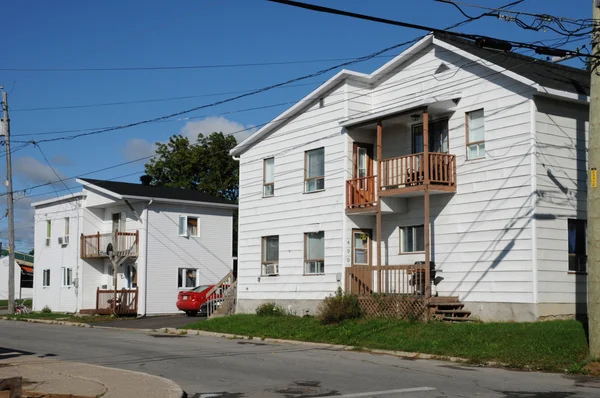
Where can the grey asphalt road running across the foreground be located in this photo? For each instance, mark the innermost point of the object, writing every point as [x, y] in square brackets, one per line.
[218, 367]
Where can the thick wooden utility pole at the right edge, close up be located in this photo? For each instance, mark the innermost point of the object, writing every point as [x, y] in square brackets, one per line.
[593, 204]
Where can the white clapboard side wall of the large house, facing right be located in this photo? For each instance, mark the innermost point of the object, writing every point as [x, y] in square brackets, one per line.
[561, 174]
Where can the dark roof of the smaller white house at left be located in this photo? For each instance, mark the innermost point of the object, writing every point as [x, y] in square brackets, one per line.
[157, 192]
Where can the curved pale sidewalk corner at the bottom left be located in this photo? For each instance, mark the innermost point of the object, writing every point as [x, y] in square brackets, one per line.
[82, 380]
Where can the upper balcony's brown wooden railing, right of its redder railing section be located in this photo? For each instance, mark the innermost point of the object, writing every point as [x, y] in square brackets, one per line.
[409, 170]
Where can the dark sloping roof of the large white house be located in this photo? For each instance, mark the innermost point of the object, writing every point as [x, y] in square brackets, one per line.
[547, 74]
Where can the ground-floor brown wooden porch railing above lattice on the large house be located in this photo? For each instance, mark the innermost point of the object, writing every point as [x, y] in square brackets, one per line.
[395, 279]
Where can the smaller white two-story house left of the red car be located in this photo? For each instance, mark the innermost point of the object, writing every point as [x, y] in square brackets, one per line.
[161, 240]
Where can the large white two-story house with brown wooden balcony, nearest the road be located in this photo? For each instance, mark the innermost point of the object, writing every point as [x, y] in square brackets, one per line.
[451, 171]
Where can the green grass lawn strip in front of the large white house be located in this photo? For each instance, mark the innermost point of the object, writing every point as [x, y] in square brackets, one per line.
[553, 346]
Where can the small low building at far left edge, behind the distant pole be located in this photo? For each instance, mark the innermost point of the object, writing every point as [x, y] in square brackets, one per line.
[23, 276]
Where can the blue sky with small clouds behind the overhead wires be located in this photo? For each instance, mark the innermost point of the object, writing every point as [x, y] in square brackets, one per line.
[121, 34]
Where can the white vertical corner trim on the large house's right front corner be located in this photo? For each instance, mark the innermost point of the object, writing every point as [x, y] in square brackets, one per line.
[534, 254]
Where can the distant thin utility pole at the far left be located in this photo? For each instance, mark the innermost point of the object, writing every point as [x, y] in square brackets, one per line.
[11, 215]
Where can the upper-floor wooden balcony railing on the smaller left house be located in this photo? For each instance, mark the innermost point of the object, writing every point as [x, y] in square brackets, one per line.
[123, 244]
